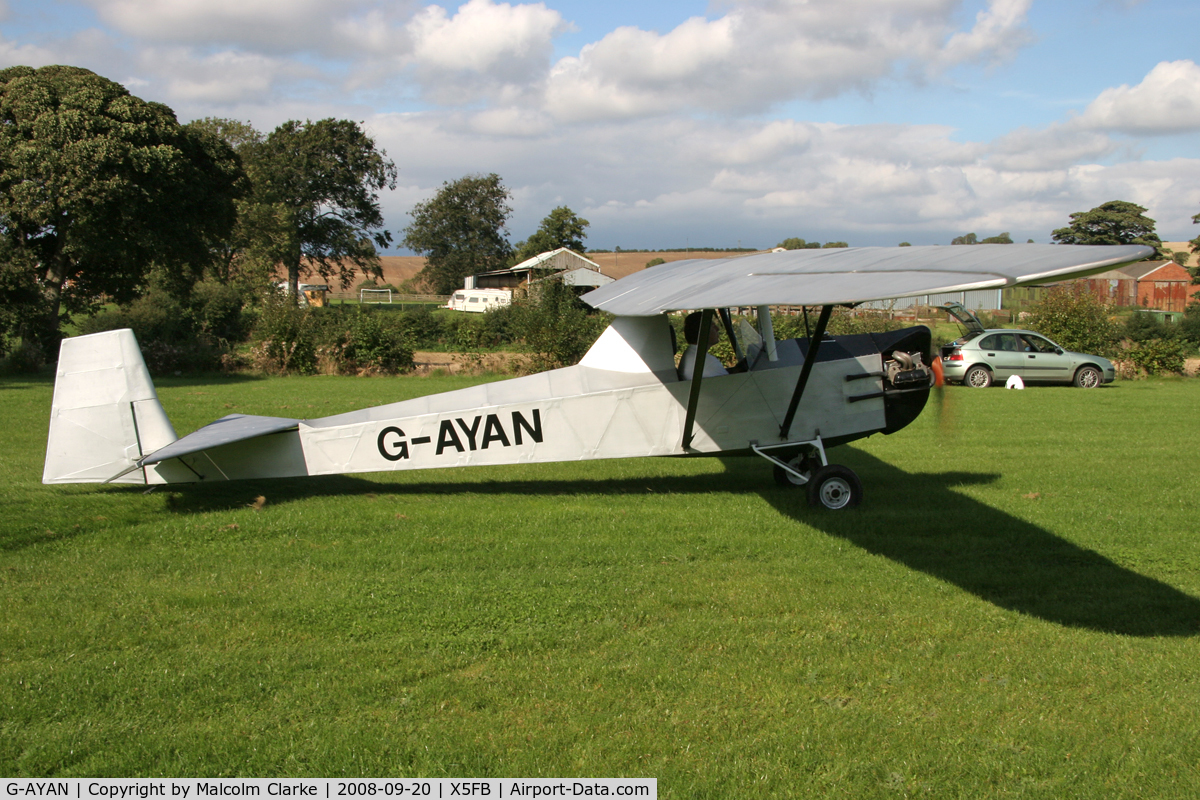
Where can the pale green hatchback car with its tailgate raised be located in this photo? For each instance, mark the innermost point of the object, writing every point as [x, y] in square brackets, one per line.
[982, 358]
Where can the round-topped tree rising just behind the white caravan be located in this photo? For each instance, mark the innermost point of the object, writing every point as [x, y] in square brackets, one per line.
[461, 231]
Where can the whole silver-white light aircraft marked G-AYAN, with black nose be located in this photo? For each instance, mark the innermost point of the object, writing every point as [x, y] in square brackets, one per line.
[789, 401]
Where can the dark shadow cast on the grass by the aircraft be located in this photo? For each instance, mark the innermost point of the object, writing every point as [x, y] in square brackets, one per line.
[913, 519]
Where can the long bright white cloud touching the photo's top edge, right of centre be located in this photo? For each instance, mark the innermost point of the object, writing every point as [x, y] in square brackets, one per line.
[765, 52]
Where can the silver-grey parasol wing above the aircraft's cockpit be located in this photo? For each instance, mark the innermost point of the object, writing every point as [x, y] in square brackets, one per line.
[849, 275]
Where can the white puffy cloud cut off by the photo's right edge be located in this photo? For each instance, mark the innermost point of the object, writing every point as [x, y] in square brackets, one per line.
[1167, 101]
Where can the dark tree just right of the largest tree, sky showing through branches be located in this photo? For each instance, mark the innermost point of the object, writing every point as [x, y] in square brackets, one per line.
[316, 200]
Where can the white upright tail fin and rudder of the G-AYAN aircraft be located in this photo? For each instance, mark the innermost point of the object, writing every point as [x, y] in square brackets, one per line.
[106, 414]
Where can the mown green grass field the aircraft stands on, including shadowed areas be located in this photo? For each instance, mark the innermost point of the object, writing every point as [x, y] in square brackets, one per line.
[1015, 611]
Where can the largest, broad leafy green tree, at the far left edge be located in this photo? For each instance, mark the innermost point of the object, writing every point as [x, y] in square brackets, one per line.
[98, 188]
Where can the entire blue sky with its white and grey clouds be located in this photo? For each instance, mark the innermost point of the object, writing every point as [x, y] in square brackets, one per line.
[686, 124]
